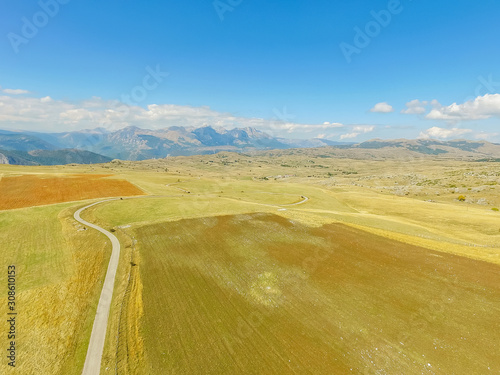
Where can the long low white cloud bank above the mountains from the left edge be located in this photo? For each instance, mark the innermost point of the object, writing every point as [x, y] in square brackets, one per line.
[48, 114]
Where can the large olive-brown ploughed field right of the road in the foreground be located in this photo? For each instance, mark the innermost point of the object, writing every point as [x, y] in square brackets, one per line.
[261, 294]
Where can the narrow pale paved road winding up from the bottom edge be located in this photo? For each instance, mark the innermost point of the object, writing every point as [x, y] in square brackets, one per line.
[92, 364]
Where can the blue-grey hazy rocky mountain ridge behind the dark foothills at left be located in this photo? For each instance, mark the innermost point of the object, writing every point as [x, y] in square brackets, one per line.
[133, 143]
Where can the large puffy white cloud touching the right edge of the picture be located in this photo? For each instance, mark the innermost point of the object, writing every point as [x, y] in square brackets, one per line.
[482, 107]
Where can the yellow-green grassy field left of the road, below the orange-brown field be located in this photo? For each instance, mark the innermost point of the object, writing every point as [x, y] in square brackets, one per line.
[59, 270]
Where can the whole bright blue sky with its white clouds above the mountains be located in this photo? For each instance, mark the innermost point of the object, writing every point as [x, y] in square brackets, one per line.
[339, 70]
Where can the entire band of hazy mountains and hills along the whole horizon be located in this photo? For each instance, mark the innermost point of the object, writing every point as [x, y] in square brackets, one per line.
[133, 143]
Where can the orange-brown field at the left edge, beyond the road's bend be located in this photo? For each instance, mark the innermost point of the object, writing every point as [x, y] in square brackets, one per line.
[36, 190]
